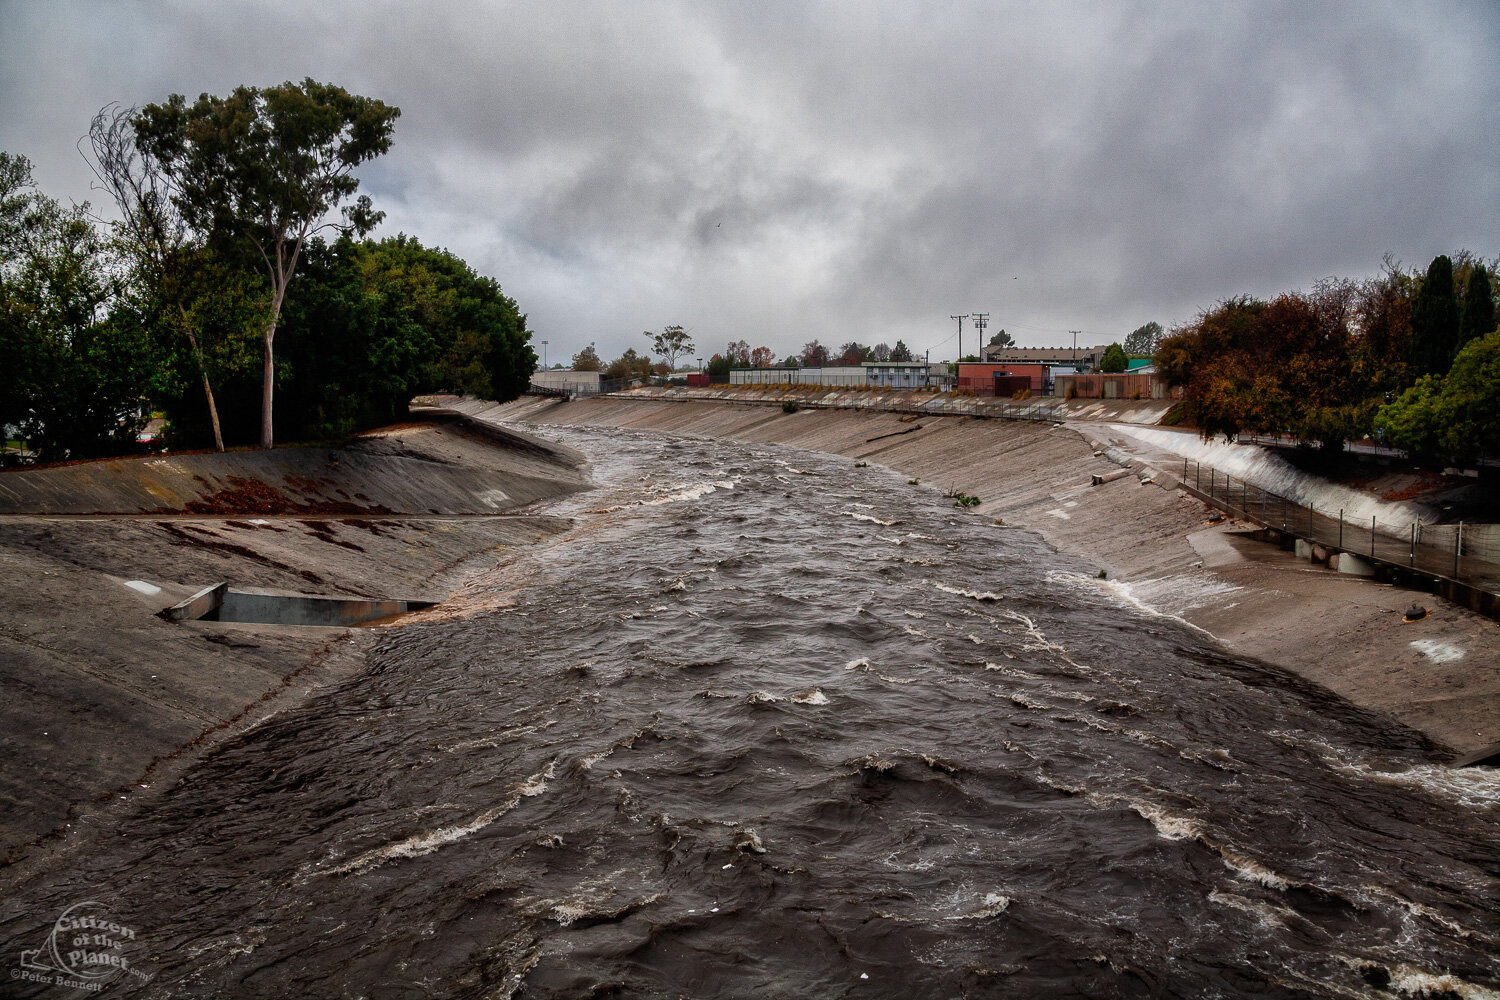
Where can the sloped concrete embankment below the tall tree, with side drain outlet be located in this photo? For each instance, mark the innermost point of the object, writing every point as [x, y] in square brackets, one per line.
[98, 687]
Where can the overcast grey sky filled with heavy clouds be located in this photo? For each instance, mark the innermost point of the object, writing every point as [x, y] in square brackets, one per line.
[785, 172]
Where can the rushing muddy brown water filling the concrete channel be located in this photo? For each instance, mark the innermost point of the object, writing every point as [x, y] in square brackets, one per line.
[773, 725]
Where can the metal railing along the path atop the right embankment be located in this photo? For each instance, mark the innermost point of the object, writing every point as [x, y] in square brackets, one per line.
[1468, 554]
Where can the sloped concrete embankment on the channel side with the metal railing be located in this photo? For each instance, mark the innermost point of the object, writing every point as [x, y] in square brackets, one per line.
[1439, 675]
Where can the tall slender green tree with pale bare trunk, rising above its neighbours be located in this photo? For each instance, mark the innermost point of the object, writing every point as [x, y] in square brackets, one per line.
[268, 167]
